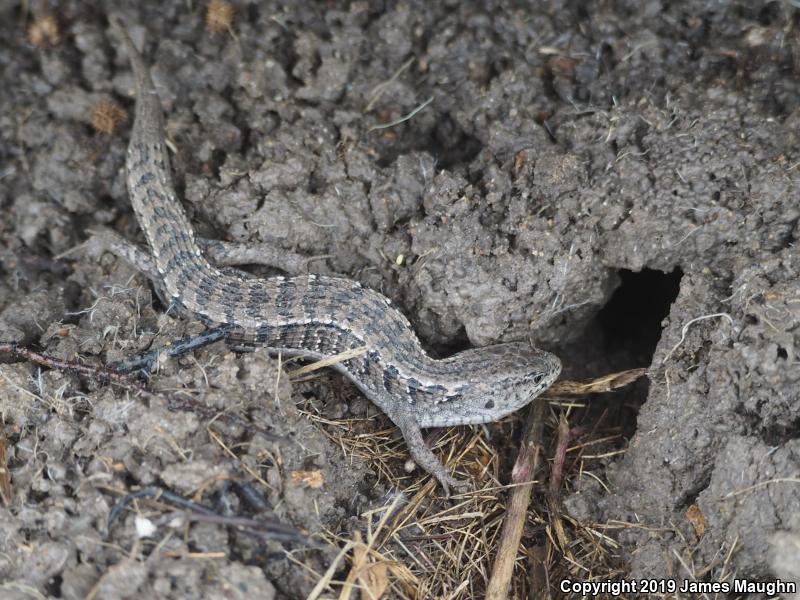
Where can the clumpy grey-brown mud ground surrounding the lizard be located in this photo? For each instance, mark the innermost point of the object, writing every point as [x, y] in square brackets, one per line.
[615, 181]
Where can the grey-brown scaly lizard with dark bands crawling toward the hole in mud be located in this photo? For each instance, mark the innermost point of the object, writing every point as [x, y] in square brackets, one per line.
[316, 316]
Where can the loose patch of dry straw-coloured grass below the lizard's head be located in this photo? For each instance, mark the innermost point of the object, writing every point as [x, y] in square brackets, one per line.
[423, 546]
